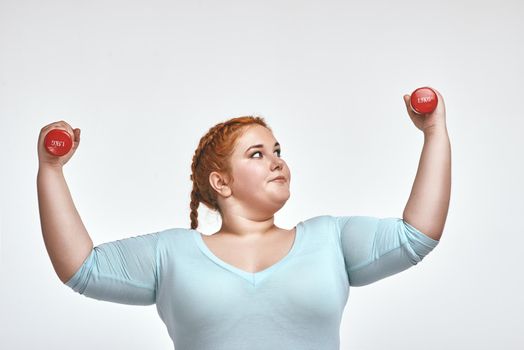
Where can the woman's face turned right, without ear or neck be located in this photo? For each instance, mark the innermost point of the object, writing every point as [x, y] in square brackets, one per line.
[255, 163]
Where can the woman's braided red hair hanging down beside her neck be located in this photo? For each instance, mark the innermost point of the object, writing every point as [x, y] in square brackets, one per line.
[213, 154]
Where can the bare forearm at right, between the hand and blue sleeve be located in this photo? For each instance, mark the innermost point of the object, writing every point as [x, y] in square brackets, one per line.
[428, 203]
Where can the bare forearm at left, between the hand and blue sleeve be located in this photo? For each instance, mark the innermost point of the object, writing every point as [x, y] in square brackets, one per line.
[66, 239]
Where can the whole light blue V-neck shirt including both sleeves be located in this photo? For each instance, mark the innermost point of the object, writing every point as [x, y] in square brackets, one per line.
[297, 303]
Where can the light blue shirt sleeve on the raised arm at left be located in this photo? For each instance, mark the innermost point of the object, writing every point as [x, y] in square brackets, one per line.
[123, 271]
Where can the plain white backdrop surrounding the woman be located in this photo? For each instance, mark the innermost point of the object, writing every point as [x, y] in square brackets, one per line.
[144, 80]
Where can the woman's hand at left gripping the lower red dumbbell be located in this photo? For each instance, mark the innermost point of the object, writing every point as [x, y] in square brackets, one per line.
[47, 159]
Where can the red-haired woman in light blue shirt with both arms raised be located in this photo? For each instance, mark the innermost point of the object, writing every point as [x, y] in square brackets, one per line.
[252, 284]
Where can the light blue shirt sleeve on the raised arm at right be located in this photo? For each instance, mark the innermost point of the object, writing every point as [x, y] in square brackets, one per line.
[375, 248]
